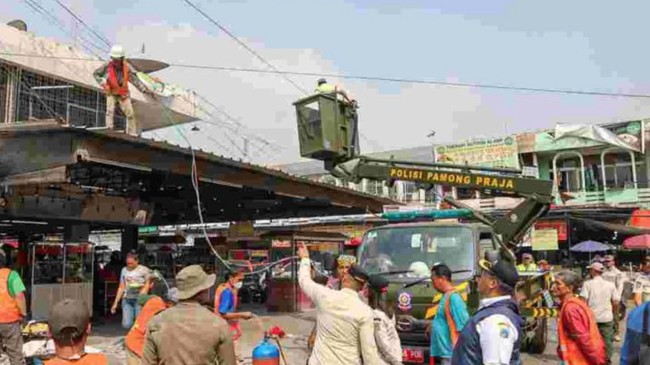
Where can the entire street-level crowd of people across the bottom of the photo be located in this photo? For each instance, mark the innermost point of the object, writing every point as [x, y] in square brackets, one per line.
[354, 324]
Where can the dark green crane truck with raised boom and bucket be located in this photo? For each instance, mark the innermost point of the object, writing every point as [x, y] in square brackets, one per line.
[328, 131]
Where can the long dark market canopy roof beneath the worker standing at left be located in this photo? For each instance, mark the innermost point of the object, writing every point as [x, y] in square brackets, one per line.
[53, 172]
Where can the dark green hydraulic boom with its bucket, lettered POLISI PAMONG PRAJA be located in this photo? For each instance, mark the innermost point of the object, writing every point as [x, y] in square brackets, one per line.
[328, 130]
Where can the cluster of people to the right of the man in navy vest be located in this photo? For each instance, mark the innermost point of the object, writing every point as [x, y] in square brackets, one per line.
[591, 311]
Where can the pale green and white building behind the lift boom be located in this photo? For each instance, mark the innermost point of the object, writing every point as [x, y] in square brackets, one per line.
[595, 166]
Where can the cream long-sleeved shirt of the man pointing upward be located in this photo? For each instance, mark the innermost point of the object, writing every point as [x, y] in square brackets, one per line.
[345, 324]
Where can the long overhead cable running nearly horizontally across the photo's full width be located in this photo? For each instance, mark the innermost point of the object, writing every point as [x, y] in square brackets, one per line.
[376, 78]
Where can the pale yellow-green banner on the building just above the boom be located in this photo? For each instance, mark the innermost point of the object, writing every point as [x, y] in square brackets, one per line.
[489, 152]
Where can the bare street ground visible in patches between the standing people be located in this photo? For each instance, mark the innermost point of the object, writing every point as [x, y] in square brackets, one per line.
[108, 338]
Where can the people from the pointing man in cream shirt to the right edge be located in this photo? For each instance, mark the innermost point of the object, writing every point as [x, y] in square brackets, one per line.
[588, 321]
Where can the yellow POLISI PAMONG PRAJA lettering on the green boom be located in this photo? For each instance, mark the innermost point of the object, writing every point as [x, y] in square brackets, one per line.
[453, 178]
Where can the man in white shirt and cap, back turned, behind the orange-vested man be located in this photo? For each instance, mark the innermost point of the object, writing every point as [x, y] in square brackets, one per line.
[603, 298]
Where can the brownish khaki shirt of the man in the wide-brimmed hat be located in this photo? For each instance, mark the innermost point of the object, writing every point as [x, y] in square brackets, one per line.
[188, 334]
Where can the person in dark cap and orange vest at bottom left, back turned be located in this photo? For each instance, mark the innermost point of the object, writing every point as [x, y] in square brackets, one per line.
[69, 325]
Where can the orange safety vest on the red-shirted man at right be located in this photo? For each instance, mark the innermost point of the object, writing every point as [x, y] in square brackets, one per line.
[569, 350]
